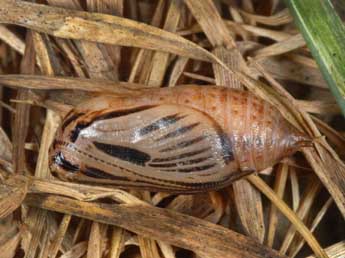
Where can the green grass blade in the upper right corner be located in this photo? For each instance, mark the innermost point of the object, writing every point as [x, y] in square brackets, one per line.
[324, 32]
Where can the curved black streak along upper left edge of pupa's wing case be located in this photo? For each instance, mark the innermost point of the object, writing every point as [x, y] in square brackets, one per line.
[108, 115]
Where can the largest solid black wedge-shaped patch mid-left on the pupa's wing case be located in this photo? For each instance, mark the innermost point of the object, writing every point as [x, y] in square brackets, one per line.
[125, 153]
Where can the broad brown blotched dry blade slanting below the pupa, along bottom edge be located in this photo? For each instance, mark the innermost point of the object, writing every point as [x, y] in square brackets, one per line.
[179, 230]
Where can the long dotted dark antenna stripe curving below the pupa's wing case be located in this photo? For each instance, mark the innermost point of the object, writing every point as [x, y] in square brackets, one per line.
[189, 186]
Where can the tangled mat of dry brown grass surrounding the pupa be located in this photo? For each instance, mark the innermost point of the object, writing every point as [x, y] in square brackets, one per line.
[52, 56]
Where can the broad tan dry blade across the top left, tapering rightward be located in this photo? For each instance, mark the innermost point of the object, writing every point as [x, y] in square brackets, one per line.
[97, 27]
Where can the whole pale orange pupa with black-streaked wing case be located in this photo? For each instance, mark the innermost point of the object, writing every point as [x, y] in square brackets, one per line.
[183, 139]
